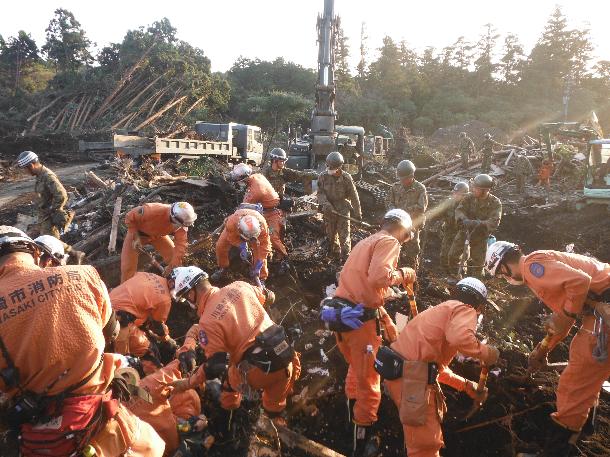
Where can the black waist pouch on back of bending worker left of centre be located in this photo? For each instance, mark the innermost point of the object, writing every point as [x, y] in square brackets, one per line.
[271, 351]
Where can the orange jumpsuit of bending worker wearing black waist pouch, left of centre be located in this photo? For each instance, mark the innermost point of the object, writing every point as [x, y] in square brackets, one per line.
[230, 320]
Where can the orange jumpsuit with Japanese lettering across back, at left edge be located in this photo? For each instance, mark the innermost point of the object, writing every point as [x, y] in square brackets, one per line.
[51, 322]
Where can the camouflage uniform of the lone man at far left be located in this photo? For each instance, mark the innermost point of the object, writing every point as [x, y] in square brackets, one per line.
[52, 197]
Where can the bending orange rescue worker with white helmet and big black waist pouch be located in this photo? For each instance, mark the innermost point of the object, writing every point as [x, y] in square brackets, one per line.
[233, 320]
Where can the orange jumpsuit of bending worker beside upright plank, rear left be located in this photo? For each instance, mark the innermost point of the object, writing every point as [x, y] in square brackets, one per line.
[152, 222]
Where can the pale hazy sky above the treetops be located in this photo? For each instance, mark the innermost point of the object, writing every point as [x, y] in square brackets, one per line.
[270, 28]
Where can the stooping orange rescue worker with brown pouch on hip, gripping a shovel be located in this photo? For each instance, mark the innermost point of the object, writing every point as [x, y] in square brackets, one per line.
[423, 351]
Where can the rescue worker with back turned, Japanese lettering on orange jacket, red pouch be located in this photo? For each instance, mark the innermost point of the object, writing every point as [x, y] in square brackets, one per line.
[54, 324]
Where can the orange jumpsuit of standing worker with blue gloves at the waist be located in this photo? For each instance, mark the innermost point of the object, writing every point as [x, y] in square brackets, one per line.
[365, 278]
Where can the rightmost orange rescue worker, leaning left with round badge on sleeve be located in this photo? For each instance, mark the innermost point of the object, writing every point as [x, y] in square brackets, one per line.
[574, 287]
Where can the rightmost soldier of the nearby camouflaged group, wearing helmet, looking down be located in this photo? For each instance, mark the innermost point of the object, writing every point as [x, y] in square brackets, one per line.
[477, 216]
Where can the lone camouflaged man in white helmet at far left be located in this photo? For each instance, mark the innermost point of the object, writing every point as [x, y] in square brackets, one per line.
[53, 217]
